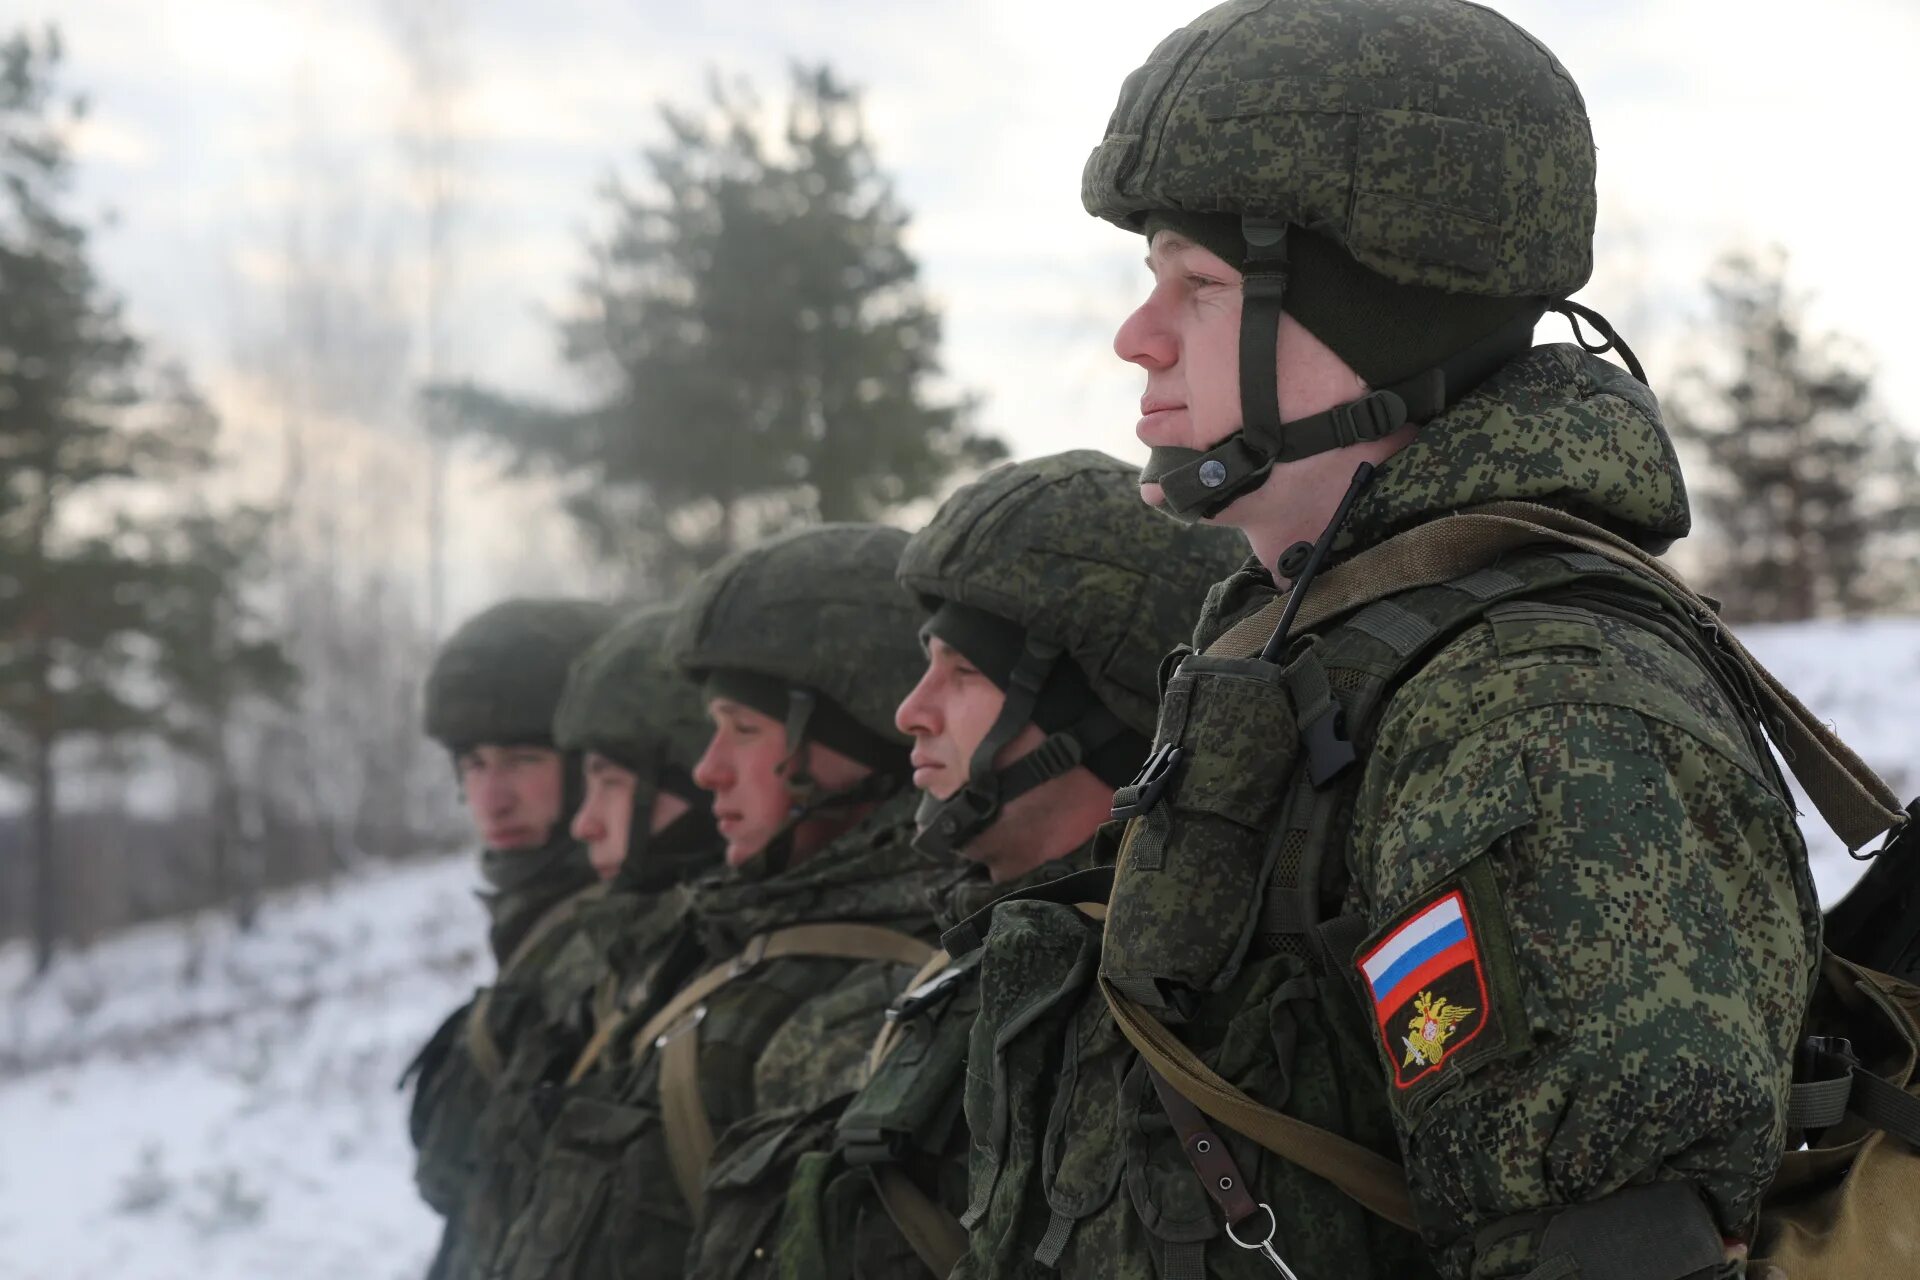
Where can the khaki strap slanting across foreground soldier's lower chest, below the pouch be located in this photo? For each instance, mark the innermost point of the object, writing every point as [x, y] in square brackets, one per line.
[1374, 1181]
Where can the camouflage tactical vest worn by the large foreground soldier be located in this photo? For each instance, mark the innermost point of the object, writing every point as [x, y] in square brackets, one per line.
[1234, 884]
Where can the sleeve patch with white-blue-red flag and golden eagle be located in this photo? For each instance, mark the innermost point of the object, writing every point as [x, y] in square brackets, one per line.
[1441, 982]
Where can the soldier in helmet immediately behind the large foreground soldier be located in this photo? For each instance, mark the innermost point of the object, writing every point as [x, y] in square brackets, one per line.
[1049, 598]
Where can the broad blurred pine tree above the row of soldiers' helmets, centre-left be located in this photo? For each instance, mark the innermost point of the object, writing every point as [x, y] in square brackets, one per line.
[757, 343]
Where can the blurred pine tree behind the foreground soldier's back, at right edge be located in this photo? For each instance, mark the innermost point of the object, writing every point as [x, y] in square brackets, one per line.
[1812, 490]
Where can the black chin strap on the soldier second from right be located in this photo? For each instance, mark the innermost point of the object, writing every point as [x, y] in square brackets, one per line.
[949, 826]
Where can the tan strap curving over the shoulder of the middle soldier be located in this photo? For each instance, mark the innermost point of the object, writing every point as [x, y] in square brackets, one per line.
[673, 1031]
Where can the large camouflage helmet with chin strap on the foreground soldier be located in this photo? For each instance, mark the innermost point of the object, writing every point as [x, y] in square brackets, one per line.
[1433, 141]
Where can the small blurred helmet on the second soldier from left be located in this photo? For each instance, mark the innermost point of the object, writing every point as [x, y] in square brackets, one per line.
[625, 699]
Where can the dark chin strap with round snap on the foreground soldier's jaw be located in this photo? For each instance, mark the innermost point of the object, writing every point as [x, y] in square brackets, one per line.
[1203, 483]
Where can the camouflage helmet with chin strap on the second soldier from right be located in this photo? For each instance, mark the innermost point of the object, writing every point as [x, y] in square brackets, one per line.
[1068, 592]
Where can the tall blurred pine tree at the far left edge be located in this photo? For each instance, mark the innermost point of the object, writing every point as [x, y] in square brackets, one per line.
[85, 582]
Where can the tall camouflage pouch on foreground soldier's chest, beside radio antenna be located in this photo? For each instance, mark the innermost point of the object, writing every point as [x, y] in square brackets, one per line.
[1199, 855]
